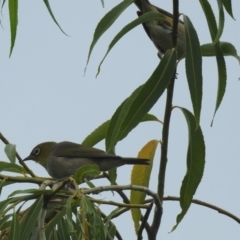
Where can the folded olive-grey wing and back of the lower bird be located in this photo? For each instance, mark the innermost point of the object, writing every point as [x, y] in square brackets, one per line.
[74, 150]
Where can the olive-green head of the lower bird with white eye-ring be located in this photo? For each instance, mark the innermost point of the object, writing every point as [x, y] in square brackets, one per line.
[41, 152]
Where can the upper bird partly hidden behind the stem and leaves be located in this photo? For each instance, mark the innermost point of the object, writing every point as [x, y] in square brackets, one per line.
[160, 31]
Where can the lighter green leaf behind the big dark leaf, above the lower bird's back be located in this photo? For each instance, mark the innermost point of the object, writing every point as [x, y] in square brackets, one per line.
[100, 132]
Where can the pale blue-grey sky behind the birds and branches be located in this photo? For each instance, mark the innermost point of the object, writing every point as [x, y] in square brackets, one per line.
[44, 97]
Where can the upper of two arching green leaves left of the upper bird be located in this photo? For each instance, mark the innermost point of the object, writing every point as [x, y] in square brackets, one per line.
[106, 22]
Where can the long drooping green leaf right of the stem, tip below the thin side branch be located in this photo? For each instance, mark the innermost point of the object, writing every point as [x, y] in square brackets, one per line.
[195, 165]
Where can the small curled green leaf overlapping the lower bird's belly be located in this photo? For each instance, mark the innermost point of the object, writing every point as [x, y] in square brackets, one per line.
[90, 170]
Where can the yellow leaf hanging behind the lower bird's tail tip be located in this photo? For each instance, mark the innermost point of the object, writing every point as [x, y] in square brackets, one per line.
[141, 176]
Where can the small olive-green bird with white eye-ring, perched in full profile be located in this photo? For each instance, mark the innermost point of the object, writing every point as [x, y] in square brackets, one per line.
[63, 159]
